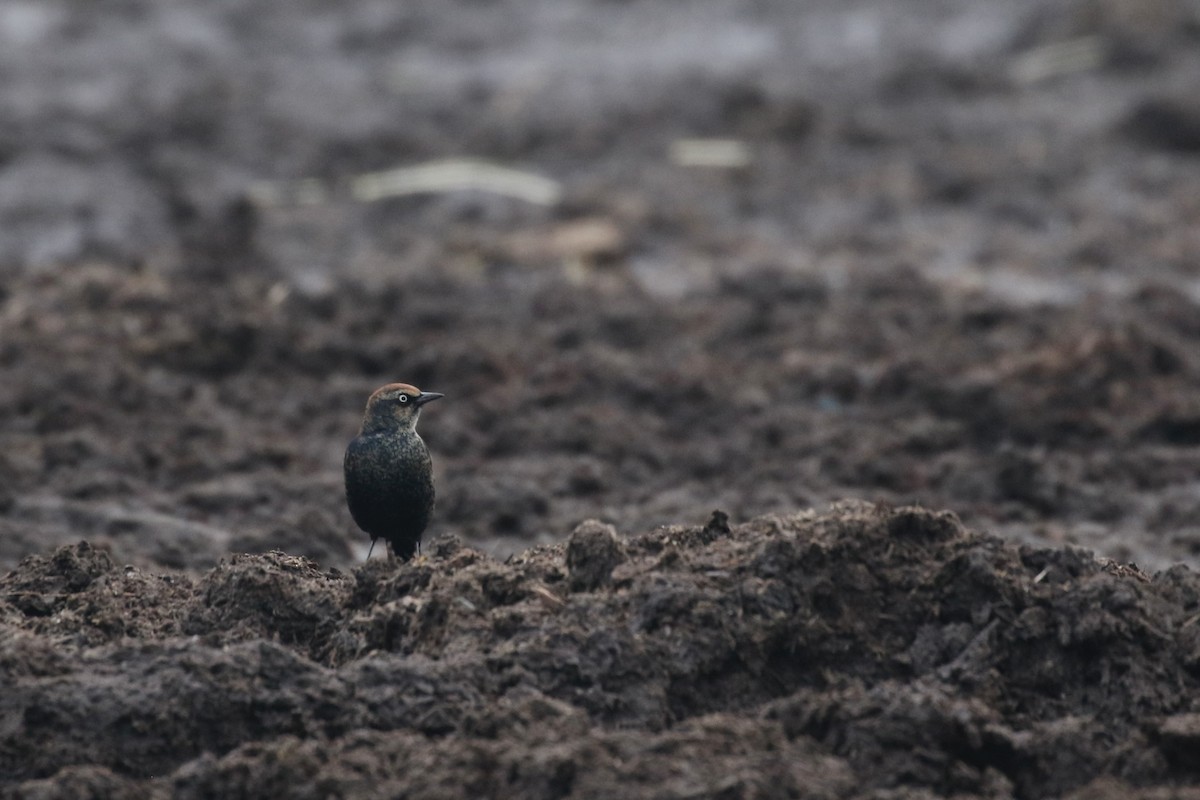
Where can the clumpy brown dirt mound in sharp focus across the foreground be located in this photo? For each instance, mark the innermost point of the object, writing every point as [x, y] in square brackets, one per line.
[812, 655]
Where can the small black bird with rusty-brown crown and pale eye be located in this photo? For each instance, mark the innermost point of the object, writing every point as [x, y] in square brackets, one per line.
[389, 477]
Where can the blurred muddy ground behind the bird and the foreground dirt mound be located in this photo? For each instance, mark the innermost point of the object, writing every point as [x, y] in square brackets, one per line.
[663, 257]
